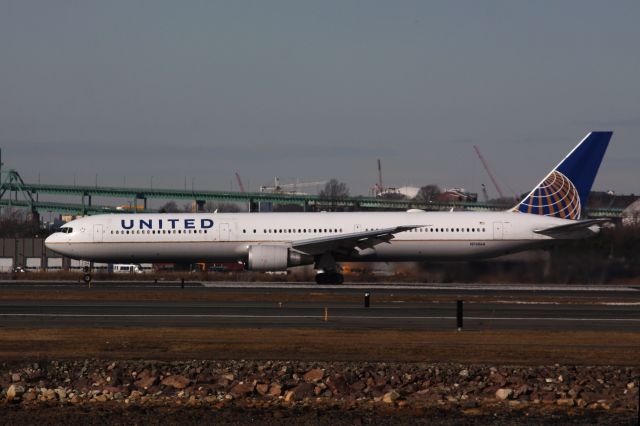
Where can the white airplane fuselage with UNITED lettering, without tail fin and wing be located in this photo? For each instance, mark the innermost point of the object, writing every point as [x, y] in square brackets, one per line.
[203, 237]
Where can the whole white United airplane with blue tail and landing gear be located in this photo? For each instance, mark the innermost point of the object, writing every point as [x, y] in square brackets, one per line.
[277, 241]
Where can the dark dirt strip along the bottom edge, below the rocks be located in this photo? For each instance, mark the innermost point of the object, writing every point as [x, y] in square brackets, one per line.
[137, 415]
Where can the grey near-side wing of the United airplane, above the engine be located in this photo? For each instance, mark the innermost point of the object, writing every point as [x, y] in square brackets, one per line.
[349, 242]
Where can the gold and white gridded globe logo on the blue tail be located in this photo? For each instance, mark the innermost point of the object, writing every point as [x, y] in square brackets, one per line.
[556, 196]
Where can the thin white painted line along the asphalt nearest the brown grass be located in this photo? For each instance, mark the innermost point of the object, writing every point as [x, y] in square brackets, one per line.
[313, 317]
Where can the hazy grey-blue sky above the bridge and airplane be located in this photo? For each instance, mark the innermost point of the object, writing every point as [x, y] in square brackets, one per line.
[174, 94]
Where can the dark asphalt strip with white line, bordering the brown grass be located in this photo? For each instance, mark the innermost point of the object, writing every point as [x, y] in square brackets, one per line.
[415, 316]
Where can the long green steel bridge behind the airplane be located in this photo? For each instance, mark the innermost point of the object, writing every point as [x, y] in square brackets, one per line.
[16, 193]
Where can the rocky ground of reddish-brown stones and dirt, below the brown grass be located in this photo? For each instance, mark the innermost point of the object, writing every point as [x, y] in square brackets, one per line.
[296, 392]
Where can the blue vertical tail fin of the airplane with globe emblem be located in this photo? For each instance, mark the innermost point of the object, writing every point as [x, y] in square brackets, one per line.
[564, 191]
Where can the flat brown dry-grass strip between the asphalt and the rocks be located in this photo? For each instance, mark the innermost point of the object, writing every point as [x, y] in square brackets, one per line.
[532, 348]
